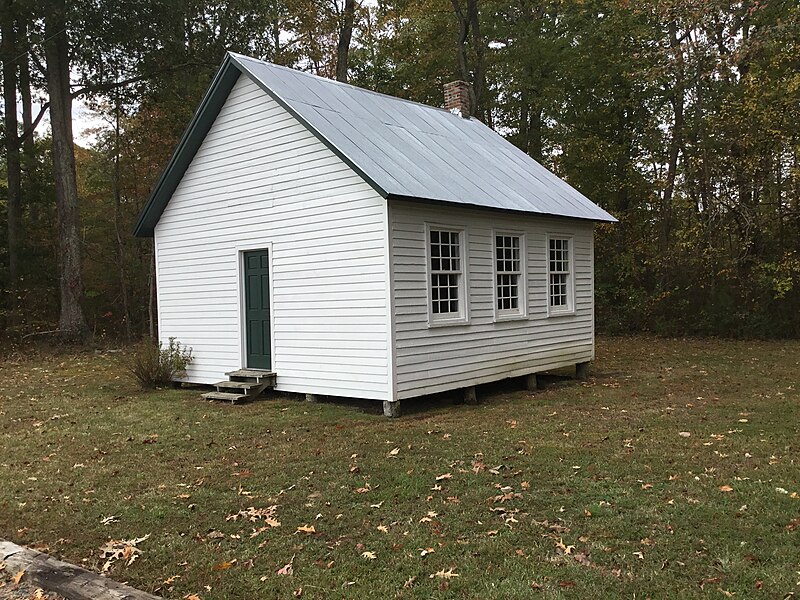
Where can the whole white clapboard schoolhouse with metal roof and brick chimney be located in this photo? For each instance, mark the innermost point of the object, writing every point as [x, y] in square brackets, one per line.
[334, 241]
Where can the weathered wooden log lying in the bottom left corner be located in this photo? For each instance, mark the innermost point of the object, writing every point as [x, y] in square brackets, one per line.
[63, 578]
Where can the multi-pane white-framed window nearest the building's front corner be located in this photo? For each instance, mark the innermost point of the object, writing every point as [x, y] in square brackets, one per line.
[447, 291]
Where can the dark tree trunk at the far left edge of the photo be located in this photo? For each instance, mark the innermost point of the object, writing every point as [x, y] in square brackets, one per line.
[14, 172]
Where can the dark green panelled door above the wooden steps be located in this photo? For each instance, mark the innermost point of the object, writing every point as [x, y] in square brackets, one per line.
[256, 290]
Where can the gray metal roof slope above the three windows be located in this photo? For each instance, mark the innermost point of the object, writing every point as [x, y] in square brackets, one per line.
[412, 150]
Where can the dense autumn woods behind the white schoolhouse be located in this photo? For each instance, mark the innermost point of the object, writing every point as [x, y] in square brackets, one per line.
[680, 117]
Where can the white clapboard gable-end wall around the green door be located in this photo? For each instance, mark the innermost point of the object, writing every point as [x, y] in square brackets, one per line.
[261, 179]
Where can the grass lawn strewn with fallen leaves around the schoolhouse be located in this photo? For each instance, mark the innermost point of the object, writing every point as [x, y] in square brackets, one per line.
[584, 490]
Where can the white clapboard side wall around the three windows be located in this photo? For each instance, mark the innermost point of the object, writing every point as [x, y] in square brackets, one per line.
[435, 358]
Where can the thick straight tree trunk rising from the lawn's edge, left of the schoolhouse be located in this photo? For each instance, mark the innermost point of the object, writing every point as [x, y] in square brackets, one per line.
[71, 324]
